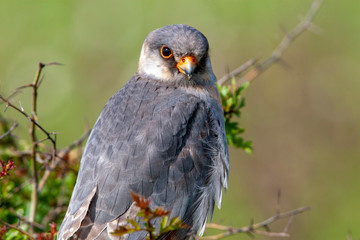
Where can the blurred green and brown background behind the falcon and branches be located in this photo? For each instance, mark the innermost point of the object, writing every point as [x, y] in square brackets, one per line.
[303, 119]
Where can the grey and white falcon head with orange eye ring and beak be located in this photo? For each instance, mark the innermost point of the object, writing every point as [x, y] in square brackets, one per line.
[177, 54]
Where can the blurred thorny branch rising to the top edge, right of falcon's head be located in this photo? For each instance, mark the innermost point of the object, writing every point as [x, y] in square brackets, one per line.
[258, 68]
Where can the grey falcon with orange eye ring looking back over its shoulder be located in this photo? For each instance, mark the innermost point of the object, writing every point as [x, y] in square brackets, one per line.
[161, 136]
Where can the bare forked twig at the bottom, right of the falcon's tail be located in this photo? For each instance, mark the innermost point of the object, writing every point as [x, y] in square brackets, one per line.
[254, 227]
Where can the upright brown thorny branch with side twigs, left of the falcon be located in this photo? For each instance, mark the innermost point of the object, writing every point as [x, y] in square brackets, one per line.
[35, 154]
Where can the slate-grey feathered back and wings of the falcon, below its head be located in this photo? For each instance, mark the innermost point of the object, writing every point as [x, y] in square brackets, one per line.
[161, 143]
